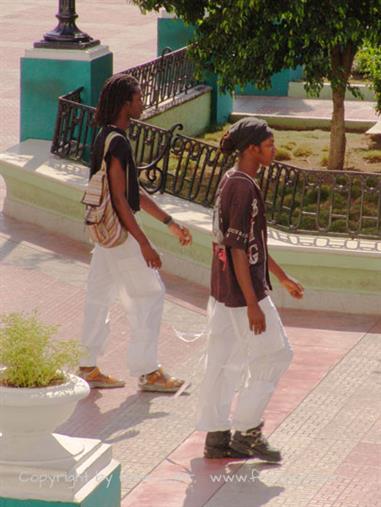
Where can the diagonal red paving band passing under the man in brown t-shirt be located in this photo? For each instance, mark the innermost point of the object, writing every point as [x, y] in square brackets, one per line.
[185, 477]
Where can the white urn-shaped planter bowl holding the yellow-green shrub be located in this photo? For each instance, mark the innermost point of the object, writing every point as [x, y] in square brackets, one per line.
[28, 417]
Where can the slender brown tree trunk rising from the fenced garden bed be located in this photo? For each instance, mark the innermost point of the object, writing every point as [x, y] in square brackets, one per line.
[341, 66]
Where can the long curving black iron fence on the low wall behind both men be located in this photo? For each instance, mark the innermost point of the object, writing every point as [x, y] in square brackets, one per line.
[299, 200]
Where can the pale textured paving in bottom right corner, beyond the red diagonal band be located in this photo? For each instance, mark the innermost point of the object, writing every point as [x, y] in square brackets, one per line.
[341, 412]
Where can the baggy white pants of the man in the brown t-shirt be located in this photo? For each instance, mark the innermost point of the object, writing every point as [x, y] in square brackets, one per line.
[240, 361]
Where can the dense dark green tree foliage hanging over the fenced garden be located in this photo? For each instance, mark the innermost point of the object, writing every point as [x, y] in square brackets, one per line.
[249, 40]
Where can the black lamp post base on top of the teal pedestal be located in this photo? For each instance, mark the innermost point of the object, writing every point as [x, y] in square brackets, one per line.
[66, 35]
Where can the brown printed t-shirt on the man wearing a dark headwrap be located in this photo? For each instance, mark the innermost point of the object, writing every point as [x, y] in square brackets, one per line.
[239, 222]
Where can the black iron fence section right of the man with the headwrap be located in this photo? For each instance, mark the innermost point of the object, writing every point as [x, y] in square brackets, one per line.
[343, 203]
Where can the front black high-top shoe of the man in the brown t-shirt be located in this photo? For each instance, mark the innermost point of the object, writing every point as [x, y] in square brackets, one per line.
[254, 445]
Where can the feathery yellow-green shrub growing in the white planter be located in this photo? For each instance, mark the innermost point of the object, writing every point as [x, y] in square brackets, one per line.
[31, 357]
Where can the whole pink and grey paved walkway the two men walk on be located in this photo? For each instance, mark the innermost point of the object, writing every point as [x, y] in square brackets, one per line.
[325, 415]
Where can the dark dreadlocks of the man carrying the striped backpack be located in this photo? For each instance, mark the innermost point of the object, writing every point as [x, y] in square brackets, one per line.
[117, 90]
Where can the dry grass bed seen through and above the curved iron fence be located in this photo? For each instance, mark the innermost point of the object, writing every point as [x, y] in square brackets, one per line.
[305, 207]
